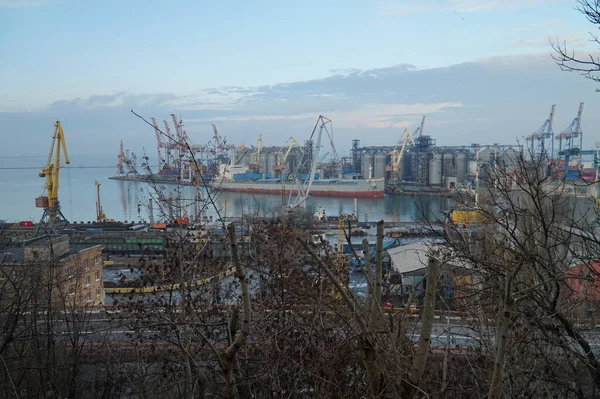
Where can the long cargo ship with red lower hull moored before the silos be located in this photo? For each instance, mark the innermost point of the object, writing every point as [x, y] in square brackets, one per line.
[238, 179]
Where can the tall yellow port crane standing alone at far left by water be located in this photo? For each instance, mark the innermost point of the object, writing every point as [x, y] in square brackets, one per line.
[50, 203]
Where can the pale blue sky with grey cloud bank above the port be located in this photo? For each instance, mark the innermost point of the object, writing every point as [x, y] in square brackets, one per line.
[481, 70]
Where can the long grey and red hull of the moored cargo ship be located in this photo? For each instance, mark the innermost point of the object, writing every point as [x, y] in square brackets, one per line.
[350, 188]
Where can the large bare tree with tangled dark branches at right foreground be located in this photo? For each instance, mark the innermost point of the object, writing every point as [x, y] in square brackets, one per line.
[531, 230]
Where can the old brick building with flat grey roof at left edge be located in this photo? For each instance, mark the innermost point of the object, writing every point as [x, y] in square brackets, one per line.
[75, 276]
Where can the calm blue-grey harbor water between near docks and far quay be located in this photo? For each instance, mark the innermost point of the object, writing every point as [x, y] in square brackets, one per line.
[126, 200]
